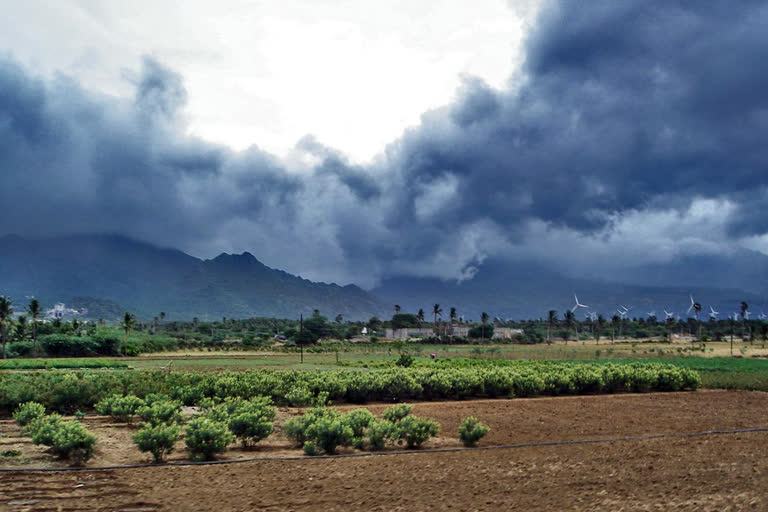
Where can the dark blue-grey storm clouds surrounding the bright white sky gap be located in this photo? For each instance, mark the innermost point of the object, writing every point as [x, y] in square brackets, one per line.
[623, 112]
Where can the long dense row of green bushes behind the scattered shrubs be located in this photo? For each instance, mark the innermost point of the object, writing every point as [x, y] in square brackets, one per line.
[67, 391]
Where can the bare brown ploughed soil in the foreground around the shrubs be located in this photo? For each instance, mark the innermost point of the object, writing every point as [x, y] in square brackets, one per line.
[713, 472]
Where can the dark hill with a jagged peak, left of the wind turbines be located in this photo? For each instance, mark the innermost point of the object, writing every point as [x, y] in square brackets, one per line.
[106, 273]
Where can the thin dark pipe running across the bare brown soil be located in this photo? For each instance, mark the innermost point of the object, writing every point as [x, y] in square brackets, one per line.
[398, 452]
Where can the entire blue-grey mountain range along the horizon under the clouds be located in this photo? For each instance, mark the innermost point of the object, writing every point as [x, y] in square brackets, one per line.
[109, 274]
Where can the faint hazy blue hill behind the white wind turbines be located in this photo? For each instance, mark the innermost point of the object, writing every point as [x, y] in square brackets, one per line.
[526, 290]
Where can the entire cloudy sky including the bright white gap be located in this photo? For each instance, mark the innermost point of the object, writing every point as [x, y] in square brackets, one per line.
[349, 141]
